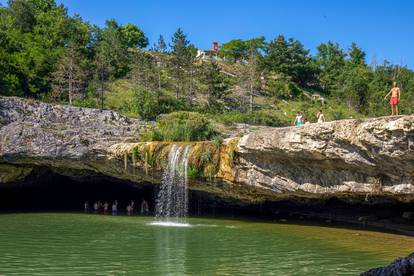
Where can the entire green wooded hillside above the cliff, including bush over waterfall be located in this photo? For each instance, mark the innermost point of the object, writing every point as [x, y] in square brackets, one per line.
[49, 55]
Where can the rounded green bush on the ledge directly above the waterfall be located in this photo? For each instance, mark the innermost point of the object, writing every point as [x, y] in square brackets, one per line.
[181, 126]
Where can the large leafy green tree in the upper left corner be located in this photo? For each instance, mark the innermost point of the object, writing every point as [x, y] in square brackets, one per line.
[33, 43]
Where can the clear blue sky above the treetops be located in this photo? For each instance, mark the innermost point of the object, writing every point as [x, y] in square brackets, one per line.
[384, 29]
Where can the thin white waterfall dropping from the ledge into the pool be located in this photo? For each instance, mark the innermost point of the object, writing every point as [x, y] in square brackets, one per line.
[172, 200]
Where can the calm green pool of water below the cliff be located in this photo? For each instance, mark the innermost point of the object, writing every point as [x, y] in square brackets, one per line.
[78, 244]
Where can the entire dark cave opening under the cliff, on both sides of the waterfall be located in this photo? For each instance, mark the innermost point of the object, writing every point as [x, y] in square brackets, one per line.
[44, 190]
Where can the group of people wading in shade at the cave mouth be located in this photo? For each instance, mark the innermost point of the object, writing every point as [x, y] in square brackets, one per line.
[104, 208]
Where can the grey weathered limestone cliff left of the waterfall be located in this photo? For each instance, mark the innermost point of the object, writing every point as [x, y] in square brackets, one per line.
[68, 140]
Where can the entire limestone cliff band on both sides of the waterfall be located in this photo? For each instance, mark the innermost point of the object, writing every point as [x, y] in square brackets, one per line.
[349, 158]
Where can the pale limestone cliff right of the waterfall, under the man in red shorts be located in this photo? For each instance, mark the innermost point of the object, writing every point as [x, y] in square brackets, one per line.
[373, 156]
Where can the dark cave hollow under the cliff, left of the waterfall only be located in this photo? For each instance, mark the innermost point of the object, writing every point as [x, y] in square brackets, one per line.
[45, 190]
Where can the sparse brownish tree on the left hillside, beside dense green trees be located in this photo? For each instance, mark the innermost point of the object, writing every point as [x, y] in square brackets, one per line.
[69, 76]
